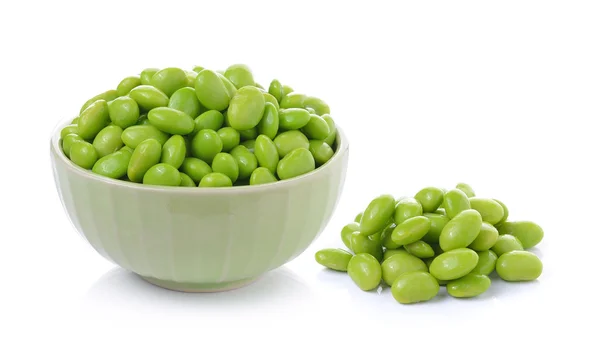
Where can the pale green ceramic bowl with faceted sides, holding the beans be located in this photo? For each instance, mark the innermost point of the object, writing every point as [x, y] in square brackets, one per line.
[199, 239]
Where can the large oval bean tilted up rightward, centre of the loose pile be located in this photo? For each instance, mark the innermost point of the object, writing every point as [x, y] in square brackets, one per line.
[461, 230]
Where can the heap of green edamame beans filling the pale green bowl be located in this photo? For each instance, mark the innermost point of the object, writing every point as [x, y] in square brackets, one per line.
[175, 127]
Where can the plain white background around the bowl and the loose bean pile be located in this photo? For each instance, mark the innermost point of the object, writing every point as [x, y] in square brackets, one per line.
[504, 95]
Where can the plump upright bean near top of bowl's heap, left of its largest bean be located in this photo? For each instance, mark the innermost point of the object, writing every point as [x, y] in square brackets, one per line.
[212, 91]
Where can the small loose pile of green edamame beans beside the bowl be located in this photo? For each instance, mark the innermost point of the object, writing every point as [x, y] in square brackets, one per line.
[436, 238]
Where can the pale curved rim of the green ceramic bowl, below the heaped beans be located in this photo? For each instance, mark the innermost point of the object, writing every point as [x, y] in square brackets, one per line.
[55, 148]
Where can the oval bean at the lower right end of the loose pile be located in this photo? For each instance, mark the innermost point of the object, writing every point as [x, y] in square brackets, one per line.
[518, 266]
